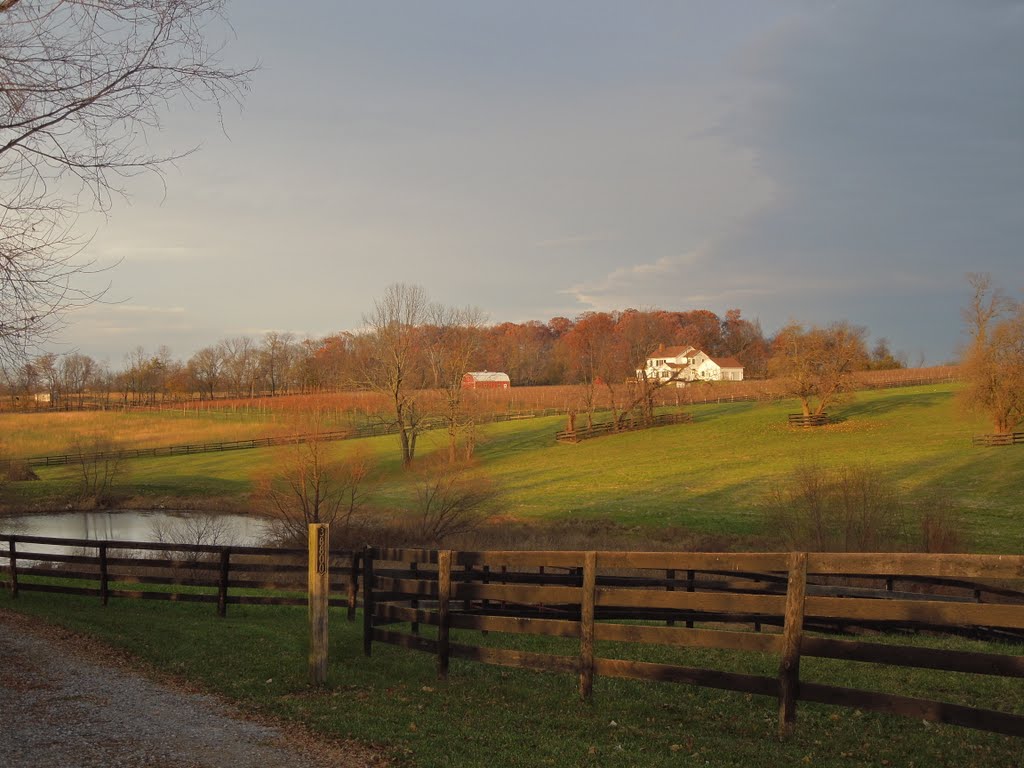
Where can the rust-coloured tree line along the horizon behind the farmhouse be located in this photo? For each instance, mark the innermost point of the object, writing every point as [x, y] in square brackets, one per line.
[592, 348]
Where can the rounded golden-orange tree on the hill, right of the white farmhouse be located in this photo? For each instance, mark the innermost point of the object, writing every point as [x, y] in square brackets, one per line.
[816, 365]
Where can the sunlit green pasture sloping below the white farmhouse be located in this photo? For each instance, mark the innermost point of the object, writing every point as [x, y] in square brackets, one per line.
[708, 478]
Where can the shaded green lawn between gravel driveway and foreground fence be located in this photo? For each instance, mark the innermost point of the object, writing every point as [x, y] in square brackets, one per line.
[489, 716]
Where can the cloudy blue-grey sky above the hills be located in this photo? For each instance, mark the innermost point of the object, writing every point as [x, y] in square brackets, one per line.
[806, 160]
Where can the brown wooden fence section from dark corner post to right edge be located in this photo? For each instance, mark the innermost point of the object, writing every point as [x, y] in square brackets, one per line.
[703, 601]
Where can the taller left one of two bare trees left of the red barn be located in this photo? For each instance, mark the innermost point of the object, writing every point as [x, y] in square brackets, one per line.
[392, 359]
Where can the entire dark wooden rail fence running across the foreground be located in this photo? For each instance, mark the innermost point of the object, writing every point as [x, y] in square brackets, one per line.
[788, 606]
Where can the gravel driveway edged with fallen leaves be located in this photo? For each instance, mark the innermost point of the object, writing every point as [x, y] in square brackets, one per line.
[63, 705]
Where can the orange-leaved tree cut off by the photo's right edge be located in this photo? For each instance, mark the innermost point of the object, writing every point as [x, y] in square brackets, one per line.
[994, 363]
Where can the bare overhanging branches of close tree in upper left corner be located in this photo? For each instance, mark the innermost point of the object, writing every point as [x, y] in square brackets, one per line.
[83, 83]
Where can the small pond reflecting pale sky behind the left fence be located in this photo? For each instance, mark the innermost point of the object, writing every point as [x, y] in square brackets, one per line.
[145, 526]
